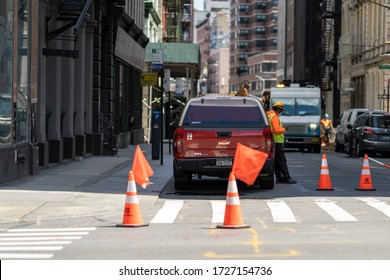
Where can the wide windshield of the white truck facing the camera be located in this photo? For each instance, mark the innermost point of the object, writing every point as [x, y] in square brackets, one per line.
[300, 106]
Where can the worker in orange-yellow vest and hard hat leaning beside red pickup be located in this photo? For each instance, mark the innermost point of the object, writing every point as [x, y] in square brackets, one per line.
[281, 170]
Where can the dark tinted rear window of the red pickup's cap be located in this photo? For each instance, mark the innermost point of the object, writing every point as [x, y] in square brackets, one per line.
[214, 115]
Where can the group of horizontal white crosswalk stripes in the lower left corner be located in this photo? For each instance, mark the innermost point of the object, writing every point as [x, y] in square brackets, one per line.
[25, 243]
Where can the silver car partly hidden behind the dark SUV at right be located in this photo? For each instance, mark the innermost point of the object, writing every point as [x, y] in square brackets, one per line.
[347, 117]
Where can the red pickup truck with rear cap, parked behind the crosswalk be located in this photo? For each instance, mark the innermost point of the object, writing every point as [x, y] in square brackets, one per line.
[205, 139]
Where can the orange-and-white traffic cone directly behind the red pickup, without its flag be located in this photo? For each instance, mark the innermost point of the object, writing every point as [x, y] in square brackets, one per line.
[233, 216]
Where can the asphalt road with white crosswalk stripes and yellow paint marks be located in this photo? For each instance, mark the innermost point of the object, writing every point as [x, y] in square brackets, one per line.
[291, 222]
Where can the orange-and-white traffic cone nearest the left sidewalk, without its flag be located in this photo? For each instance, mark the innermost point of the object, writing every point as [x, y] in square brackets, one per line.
[132, 213]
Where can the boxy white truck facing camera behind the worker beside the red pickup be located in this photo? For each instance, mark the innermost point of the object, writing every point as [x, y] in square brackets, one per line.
[302, 115]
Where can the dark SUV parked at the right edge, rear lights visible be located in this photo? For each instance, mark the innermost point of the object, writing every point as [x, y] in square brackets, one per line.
[370, 133]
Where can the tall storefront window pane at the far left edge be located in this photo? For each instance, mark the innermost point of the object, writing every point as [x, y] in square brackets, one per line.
[6, 32]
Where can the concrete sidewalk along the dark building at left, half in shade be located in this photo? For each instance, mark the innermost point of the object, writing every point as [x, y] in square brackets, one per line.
[91, 186]
